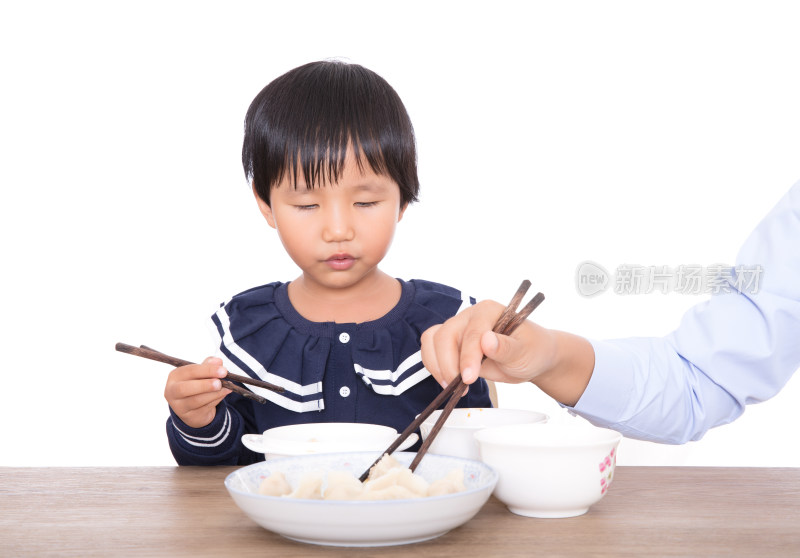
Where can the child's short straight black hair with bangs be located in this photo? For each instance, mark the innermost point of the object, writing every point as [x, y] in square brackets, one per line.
[304, 121]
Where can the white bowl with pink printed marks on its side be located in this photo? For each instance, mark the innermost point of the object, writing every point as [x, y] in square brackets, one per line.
[550, 470]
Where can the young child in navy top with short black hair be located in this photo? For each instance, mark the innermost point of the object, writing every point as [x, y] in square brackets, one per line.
[330, 152]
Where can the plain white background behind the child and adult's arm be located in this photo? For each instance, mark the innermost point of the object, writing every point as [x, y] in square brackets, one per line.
[549, 133]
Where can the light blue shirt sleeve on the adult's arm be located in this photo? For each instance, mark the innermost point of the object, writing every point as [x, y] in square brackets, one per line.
[737, 348]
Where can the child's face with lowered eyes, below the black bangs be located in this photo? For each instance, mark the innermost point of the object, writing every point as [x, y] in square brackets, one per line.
[336, 233]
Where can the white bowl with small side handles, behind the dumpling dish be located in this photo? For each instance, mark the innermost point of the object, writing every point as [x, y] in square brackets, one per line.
[323, 437]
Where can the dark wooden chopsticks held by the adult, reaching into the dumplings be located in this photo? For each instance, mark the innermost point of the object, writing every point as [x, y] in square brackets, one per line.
[508, 321]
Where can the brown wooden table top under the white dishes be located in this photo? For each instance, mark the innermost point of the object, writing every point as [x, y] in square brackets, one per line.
[186, 511]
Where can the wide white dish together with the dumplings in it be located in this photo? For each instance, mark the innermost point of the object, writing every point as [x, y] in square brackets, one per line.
[443, 493]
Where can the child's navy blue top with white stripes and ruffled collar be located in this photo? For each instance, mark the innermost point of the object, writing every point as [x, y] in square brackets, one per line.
[369, 372]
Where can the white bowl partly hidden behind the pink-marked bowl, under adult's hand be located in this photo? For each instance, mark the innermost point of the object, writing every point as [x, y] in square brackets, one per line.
[456, 436]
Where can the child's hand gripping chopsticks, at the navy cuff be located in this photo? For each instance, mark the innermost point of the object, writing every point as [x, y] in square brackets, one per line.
[195, 390]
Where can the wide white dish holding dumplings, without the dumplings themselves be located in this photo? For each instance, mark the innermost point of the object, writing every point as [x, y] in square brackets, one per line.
[360, 523]
